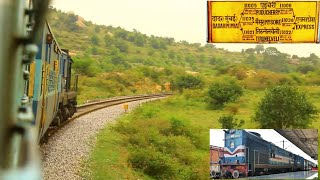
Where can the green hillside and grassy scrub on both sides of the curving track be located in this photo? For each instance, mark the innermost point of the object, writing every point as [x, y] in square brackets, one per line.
[112, 61]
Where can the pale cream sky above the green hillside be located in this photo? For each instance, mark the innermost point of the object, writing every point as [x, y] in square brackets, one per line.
[180, 19]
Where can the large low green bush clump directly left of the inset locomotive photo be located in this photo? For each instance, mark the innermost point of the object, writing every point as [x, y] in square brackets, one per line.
[164, 149]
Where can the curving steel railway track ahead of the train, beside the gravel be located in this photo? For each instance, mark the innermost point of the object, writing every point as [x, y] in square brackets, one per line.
[90, 107]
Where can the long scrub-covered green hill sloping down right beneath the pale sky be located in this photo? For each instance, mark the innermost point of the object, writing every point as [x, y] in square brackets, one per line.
[112, 61]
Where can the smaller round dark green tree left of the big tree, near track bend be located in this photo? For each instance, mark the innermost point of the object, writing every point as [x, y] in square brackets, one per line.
[221, 93]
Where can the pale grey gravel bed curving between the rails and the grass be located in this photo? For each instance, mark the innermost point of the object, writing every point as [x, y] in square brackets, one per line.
[67, 148]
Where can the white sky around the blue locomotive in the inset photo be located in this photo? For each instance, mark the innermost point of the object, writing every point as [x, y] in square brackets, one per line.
[217, 136]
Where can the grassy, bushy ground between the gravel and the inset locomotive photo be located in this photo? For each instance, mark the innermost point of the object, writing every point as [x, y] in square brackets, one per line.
[169, 134]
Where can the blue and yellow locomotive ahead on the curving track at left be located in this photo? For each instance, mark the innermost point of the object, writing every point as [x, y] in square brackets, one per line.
[54, 98]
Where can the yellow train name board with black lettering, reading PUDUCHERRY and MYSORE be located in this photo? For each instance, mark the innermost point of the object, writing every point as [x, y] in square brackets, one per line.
[263, 21]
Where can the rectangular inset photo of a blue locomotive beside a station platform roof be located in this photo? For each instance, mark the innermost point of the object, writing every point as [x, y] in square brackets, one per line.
[264, 153]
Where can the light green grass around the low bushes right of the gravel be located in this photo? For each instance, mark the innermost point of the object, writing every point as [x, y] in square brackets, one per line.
[110, 157]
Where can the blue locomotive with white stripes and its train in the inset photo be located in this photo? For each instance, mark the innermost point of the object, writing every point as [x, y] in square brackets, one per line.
[246, 153]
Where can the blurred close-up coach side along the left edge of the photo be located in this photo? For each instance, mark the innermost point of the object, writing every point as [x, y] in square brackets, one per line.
[22, 22]
